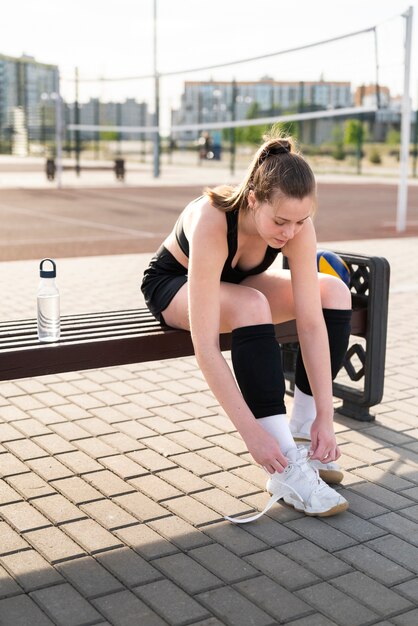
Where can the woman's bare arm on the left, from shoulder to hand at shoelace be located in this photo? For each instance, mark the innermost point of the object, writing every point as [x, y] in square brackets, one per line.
[208, 252]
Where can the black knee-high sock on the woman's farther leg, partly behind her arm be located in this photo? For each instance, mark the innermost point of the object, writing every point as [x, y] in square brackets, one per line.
[338, 323]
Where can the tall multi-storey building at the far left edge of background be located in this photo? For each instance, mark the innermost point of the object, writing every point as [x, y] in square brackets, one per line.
[27, 105]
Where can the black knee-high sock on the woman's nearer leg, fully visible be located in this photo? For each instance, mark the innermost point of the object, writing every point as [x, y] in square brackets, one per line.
[257, 363]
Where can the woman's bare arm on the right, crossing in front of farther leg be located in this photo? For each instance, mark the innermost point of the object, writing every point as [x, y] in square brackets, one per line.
[313, 337]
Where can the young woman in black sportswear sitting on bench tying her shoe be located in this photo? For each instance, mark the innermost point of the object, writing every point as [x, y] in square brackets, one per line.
[212, 275]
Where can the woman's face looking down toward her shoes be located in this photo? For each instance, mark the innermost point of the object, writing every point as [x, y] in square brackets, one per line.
[280, 221]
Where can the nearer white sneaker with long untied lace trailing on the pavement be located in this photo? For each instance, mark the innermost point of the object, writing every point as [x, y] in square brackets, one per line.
[301, 487]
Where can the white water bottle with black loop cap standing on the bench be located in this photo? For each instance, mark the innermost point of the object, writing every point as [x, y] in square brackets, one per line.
[48, 304]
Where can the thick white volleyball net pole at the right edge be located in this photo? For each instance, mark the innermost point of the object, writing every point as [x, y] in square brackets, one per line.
[405, 129]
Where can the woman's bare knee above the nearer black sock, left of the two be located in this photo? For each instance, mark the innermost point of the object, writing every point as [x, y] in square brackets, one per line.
[247, 308]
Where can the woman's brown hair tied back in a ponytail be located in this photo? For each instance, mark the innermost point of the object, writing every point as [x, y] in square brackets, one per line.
[277, 169]
